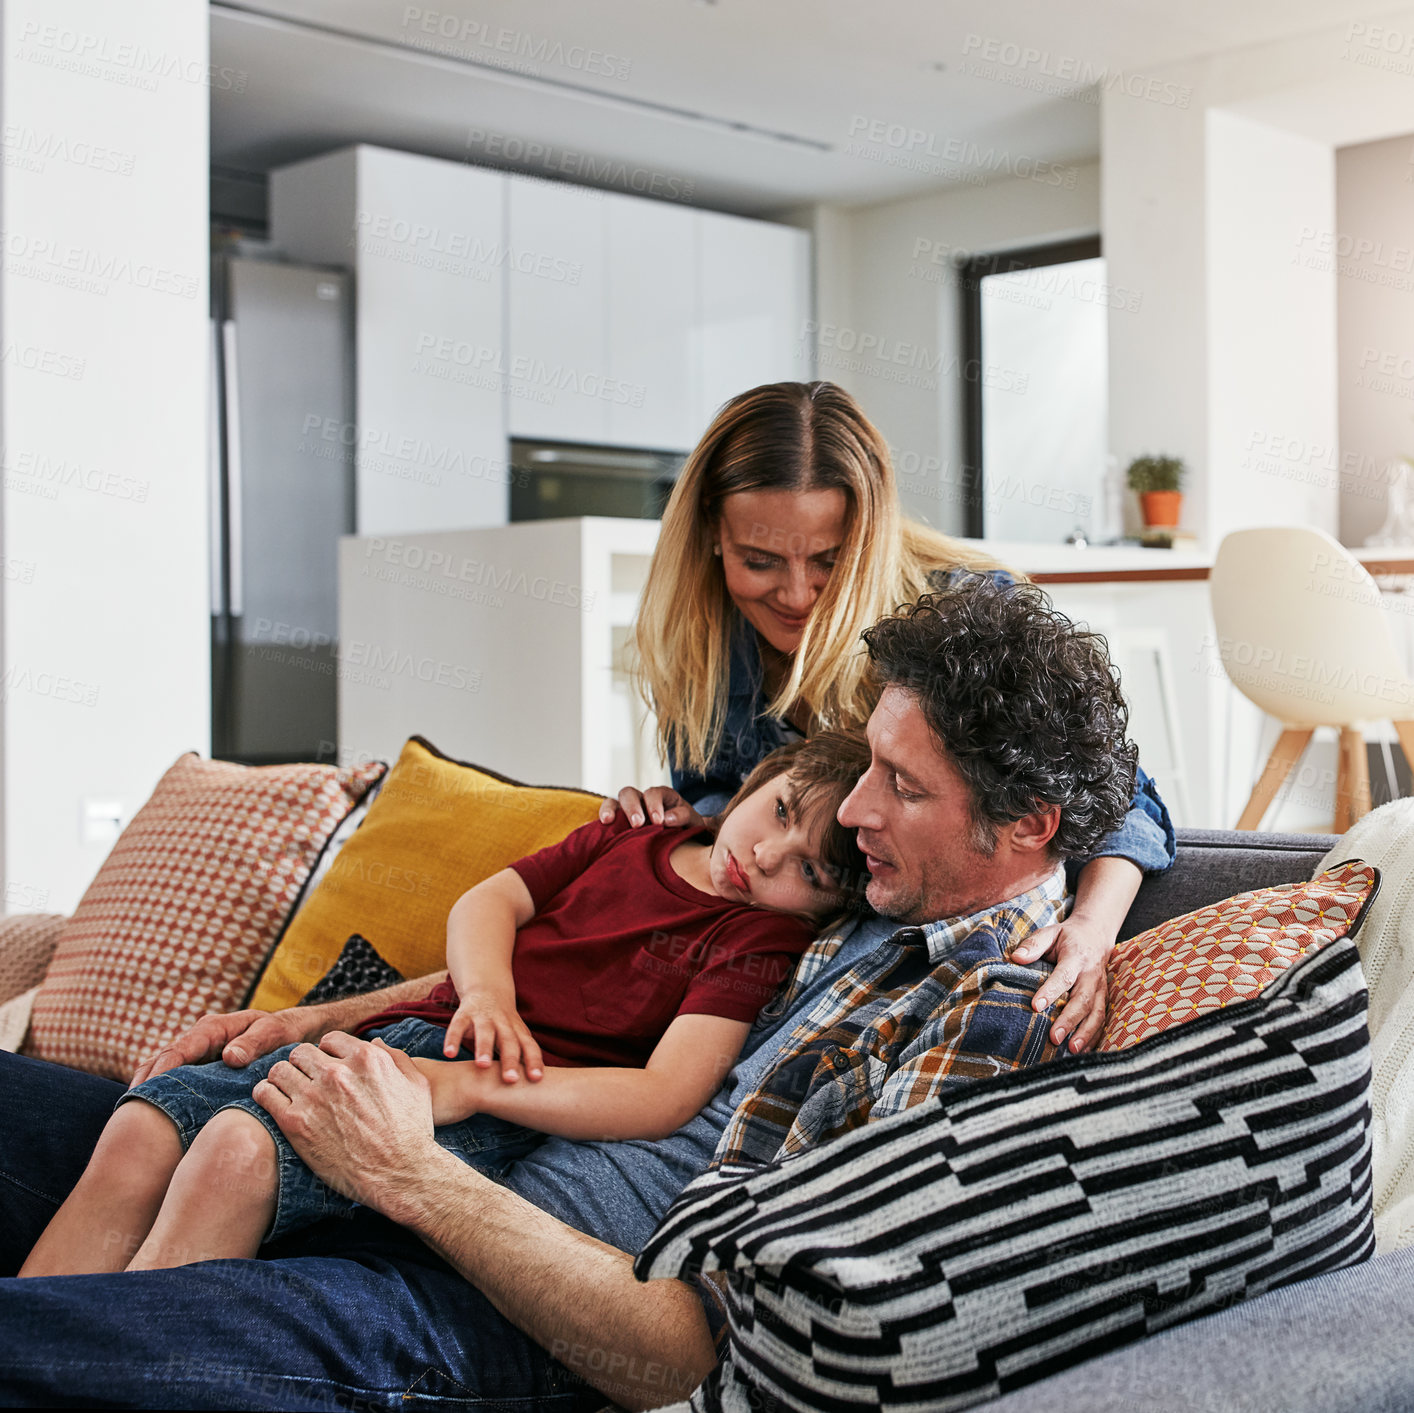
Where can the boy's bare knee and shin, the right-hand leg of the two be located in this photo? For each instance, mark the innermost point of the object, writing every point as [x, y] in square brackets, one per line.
[221, 1199]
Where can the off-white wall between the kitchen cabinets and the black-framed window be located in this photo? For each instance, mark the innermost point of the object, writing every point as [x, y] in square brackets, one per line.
[892, 333]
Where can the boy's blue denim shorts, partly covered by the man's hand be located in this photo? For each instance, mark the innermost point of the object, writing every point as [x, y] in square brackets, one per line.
[194, 1094]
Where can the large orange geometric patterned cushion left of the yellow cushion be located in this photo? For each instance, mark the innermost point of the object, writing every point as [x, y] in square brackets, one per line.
[186, 907]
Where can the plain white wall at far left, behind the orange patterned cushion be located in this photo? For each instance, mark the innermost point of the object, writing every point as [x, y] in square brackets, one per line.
[104, 407]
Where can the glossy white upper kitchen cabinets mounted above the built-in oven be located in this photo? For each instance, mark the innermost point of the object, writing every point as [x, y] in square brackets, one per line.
[665, 315]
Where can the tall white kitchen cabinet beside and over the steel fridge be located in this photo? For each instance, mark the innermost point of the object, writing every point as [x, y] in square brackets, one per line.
[423, 240]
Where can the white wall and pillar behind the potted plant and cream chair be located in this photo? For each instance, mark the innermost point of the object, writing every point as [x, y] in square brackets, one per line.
[1221, 207]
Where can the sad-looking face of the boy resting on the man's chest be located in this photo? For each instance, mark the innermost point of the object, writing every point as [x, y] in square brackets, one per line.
[767, 855]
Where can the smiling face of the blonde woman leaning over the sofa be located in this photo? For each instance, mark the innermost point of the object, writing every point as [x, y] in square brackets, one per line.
[777, 554]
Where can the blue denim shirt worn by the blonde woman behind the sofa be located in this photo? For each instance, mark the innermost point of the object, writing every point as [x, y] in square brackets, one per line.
[1146, 835]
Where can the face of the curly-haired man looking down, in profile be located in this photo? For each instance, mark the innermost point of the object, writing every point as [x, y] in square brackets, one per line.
[914, 820]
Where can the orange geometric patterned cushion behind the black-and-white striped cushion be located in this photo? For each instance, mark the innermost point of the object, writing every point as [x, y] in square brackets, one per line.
[1228, 951]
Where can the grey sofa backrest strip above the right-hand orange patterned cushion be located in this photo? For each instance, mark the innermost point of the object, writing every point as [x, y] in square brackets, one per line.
[1215, 863]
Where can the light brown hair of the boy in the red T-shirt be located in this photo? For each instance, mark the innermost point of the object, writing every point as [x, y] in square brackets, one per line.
[821, 772]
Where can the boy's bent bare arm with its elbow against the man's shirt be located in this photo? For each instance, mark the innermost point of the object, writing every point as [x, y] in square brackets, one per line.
[606, 1103]
